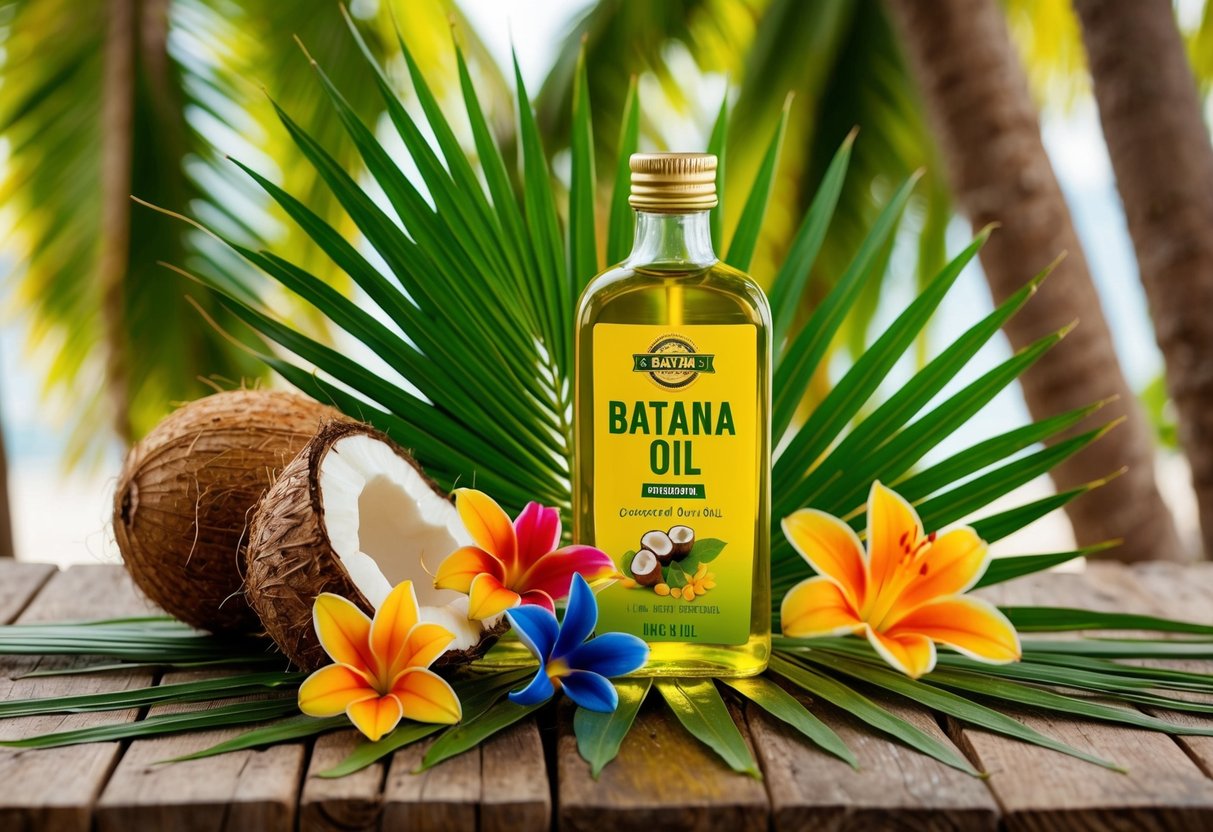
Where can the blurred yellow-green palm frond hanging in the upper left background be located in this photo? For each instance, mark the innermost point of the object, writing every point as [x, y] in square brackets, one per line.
[147, 99]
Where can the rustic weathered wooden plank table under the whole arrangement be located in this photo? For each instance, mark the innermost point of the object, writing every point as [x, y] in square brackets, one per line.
[532, 778]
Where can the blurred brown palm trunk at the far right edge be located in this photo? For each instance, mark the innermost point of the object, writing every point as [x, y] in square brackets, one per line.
[1164, 163]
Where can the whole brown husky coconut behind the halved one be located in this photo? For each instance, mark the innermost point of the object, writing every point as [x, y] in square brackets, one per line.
[187, 491]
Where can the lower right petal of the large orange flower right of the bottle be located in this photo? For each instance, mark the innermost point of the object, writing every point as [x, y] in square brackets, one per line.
[971, 626]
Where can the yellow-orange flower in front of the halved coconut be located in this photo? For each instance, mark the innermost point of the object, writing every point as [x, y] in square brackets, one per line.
[383, 668]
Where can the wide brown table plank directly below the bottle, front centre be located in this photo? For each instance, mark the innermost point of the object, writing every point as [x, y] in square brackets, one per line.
[663, 779]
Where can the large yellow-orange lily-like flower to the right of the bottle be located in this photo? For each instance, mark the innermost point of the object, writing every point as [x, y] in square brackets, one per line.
[906, 594]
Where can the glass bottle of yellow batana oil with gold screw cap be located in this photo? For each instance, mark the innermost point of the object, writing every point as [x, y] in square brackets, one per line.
[673, 440]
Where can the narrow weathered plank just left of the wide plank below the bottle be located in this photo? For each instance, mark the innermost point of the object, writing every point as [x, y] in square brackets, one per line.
[516, 790]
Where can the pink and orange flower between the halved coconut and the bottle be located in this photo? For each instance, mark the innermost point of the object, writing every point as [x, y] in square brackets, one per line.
[515, 563]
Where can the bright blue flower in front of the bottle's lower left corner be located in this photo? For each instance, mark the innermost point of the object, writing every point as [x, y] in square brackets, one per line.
[567, 660]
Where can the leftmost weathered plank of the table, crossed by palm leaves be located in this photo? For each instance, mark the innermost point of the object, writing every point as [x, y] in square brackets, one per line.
[55, 789]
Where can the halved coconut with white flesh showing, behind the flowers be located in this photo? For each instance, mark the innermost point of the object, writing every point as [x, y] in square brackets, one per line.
[355, 515]
